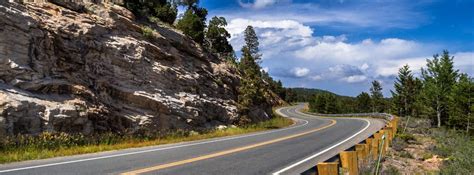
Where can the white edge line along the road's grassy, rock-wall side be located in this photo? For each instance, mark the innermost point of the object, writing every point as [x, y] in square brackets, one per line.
[159, 149]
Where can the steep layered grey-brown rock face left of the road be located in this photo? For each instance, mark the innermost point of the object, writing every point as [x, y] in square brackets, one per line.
[90, 68]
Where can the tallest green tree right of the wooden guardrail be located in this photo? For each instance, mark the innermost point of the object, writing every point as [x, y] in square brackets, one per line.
[439, 78]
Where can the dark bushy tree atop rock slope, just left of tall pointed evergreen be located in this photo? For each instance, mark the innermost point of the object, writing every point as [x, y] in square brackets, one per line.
[217, 37]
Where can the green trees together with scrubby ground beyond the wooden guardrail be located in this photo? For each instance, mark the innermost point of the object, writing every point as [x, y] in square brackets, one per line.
[436, 109]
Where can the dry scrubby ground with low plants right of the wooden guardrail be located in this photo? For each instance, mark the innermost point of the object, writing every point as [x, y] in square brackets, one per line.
[425, 149]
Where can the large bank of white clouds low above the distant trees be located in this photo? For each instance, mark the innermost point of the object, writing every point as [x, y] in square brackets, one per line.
[289, 46]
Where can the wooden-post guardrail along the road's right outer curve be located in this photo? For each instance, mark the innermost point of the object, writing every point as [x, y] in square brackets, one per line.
[370, 150]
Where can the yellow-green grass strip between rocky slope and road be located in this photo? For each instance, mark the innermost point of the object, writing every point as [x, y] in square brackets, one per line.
[47, 145]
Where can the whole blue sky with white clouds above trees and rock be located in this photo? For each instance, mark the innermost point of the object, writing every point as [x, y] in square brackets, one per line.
[343, 45]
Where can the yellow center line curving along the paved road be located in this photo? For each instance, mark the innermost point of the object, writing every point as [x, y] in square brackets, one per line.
[217, 154]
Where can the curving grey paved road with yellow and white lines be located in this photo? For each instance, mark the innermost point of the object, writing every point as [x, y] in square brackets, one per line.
[285, 151]
